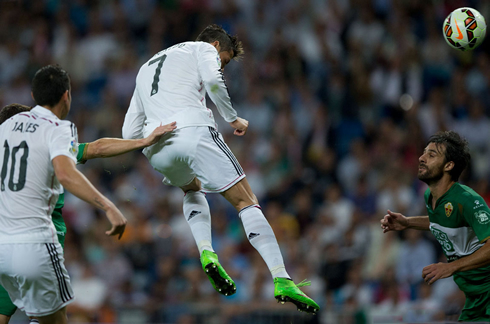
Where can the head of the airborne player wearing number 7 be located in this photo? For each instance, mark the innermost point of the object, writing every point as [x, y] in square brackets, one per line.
[229, 47]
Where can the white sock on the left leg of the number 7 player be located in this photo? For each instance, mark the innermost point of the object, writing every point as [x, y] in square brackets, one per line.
[198, 216]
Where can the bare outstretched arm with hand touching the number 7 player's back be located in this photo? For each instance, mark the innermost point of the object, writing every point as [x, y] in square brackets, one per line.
[108, 147]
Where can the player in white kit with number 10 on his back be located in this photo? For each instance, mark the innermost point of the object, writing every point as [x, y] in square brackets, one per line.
[38, 156]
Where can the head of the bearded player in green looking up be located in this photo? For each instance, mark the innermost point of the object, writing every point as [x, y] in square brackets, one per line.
[446, 152]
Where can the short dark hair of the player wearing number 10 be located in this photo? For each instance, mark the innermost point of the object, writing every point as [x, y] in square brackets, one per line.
[49, 85]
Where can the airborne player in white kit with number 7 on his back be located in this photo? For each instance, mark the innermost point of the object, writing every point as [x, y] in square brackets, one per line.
[172, 86]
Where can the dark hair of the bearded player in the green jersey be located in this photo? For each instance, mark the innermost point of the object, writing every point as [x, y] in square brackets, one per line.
[457, 151]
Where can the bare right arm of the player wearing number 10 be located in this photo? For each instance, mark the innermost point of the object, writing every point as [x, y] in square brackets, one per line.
[76, 183]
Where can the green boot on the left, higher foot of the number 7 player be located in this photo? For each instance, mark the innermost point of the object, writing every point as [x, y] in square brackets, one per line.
[220, 280]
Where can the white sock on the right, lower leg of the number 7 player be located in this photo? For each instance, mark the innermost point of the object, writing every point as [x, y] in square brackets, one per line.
[262, 238]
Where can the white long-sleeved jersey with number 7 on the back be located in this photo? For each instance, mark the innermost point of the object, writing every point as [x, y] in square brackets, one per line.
[172, 86]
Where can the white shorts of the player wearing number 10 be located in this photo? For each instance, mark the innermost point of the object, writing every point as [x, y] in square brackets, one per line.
[35, 277]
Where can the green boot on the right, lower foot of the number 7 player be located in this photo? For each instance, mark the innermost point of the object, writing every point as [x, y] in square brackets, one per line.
[285, 290]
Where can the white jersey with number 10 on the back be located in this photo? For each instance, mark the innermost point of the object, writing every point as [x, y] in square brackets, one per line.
[29, 188]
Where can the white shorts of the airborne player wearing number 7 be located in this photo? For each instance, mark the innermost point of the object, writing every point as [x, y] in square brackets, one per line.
[195, 152]
